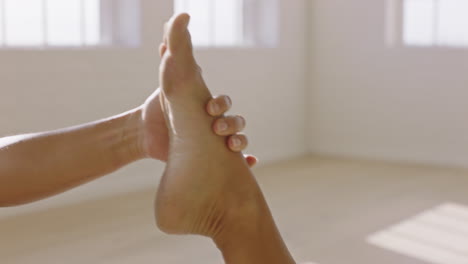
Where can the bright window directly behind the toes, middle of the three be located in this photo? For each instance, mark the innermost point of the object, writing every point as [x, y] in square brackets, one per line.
[231, 23]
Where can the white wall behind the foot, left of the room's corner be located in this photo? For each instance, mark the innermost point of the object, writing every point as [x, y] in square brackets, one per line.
[43, 90]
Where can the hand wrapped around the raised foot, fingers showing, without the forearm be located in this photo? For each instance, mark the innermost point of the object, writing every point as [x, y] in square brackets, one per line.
[156, 138]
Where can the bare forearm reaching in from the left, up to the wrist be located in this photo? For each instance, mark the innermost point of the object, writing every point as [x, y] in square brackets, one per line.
[39, 165]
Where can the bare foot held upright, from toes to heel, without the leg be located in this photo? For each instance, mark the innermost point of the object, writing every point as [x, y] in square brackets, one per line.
[204, 184]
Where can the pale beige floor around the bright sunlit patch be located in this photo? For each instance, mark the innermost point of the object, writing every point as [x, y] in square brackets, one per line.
[325, 208]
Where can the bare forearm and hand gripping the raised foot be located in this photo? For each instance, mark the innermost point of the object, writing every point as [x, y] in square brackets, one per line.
[37, 166]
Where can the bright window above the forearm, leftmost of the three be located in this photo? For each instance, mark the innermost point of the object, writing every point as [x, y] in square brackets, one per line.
[70, 23]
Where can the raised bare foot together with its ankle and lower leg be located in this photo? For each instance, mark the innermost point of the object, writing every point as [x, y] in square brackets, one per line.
[206, 189]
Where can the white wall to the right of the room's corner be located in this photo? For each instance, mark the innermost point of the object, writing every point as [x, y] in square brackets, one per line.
[373, 101]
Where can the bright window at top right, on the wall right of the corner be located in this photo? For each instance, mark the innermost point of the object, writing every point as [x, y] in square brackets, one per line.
[435, 23]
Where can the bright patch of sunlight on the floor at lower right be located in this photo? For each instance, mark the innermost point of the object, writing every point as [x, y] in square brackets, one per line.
[438, 236]
